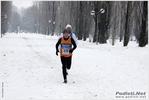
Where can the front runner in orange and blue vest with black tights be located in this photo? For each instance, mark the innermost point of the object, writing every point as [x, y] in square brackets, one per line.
[66, 51]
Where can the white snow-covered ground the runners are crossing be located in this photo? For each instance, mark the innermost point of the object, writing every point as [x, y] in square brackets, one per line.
[30, 69]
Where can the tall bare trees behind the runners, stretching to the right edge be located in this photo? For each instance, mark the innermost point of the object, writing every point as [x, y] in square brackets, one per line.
[121, 19]
